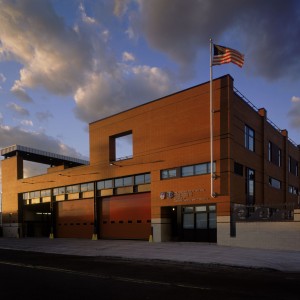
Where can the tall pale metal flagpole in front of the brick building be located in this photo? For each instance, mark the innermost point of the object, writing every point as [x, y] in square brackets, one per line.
[211, 124]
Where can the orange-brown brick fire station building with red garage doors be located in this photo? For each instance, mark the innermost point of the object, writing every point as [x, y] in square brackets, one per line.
[149, 174]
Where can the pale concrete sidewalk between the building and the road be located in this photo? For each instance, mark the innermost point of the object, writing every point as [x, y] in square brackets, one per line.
[288, 261]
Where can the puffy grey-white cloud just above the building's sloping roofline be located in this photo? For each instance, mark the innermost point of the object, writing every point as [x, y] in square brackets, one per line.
[107, 93]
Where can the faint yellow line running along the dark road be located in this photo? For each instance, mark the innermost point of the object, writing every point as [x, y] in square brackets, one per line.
[103, 276]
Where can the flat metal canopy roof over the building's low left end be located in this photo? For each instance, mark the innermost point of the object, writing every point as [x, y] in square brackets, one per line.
[42, 157]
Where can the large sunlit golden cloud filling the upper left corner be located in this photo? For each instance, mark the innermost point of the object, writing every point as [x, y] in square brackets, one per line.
[53, 55]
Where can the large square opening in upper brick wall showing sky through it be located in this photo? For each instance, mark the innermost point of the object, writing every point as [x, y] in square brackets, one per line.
[121, 146]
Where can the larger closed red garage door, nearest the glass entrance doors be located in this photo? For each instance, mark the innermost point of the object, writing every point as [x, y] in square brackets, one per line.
[126, 217]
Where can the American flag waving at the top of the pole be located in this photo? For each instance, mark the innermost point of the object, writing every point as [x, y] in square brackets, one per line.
[224, 55]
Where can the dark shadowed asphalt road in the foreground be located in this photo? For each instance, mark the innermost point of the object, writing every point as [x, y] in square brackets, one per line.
[49, 276]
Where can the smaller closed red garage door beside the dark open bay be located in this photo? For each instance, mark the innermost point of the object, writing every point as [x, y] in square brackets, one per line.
[75, 218]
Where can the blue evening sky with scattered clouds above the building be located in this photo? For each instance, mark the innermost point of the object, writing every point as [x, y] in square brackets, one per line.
[66, 63]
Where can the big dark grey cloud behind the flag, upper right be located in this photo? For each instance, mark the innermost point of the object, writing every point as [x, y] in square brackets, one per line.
[180, 29]
